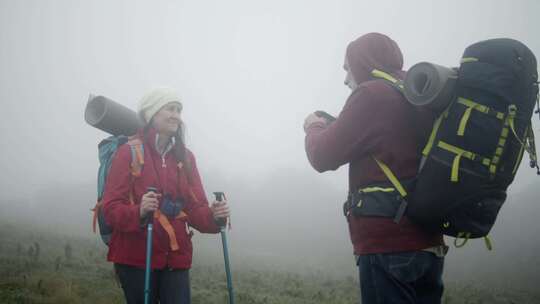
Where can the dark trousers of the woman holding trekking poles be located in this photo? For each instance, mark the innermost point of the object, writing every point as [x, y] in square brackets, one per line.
[167, 286]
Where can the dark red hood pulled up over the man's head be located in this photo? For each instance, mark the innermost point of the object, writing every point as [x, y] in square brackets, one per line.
[373, 51]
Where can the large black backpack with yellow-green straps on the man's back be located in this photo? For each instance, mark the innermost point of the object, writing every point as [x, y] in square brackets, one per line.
[476, 144]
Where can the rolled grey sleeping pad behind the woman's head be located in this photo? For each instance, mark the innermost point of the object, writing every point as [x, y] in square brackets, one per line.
[111, 117]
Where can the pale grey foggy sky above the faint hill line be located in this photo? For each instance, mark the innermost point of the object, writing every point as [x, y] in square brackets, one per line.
[248, 71]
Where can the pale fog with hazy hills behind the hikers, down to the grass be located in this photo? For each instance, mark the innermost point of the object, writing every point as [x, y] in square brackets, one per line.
[248, 73]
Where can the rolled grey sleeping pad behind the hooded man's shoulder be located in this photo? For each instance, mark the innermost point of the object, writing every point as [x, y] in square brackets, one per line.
[430, 85]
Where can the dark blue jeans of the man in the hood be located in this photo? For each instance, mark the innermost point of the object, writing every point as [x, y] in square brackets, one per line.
[401, 278]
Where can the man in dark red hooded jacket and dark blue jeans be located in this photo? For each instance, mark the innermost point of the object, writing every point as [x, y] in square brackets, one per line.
[398, 261]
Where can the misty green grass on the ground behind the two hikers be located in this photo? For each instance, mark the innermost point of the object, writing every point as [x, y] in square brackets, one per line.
[84, 276]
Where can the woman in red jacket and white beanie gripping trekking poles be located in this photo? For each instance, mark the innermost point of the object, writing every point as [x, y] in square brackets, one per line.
[154, 178]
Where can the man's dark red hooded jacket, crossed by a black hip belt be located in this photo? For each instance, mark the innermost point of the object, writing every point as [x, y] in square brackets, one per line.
[375, 121]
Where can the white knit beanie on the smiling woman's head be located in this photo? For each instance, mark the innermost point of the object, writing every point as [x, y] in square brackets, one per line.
[154, 100]
